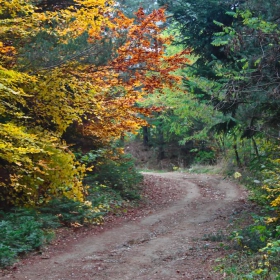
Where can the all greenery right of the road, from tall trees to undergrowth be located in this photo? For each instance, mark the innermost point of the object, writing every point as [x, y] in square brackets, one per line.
[225, 117]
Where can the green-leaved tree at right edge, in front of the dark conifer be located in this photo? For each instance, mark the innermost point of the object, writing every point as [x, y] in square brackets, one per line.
[251, 82]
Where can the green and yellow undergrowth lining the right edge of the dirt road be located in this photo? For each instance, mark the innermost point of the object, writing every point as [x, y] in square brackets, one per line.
[256, 245]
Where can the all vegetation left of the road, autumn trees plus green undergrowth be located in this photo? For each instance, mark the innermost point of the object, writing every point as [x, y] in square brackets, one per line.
[70, 77]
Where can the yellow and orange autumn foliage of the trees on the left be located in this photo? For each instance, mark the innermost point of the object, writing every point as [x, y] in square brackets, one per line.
[66, 74]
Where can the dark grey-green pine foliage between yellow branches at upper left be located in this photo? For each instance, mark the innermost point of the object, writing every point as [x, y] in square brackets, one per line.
[50, 53]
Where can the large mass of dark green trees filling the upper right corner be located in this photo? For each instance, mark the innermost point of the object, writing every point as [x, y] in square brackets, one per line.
[236, 72]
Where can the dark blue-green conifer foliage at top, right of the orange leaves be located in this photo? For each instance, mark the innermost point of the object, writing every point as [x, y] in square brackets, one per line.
[195, 20]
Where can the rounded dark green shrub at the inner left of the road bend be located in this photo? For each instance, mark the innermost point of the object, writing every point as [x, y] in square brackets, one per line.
[113, 170]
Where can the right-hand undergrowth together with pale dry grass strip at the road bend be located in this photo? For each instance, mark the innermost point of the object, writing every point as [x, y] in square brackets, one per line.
[255, 244]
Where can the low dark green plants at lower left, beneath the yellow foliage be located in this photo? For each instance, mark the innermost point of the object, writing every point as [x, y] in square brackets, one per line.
[24, 230]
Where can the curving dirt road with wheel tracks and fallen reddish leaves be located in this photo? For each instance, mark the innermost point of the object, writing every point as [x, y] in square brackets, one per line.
[163, 241]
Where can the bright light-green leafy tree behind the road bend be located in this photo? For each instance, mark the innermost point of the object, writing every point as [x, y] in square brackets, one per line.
[181, 122]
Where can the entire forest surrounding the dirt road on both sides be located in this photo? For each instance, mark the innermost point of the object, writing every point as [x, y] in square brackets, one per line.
[196, 82]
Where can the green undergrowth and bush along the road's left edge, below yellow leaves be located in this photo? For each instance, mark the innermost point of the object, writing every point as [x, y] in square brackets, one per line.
[113, 182]
